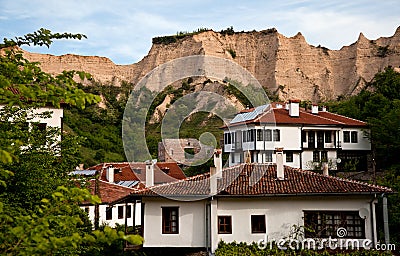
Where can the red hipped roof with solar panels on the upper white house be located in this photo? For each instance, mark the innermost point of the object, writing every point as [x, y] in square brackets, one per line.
[281, 116]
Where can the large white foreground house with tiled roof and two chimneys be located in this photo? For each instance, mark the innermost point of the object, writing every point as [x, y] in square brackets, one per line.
[254, 202]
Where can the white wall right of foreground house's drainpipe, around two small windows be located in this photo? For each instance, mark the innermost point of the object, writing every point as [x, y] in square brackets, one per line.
[281, 215]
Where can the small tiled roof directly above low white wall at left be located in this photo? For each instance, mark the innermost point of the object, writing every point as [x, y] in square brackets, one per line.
[109, 192]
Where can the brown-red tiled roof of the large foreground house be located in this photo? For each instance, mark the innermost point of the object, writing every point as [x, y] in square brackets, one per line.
[260, 180]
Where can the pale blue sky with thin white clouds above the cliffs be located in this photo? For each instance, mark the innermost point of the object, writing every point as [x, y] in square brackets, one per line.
[121, 30]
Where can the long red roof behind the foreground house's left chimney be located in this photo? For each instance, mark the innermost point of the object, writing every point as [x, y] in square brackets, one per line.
[137, 172]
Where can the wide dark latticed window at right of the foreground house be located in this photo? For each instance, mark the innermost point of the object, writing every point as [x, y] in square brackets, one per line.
[326, 223]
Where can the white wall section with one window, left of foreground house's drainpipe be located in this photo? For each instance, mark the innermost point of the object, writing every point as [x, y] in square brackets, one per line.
[191, 224]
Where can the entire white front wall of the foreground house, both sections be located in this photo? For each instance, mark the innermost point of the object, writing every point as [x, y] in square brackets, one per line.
[282, 213]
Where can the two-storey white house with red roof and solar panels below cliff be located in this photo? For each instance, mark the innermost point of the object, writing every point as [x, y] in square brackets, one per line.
[308, 137]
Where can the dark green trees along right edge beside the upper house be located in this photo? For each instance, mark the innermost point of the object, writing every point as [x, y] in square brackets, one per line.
[379, 106]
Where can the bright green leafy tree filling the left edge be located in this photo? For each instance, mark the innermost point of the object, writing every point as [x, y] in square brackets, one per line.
[39, 212]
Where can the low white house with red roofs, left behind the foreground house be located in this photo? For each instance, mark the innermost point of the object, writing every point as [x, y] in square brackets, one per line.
[116, 180]
